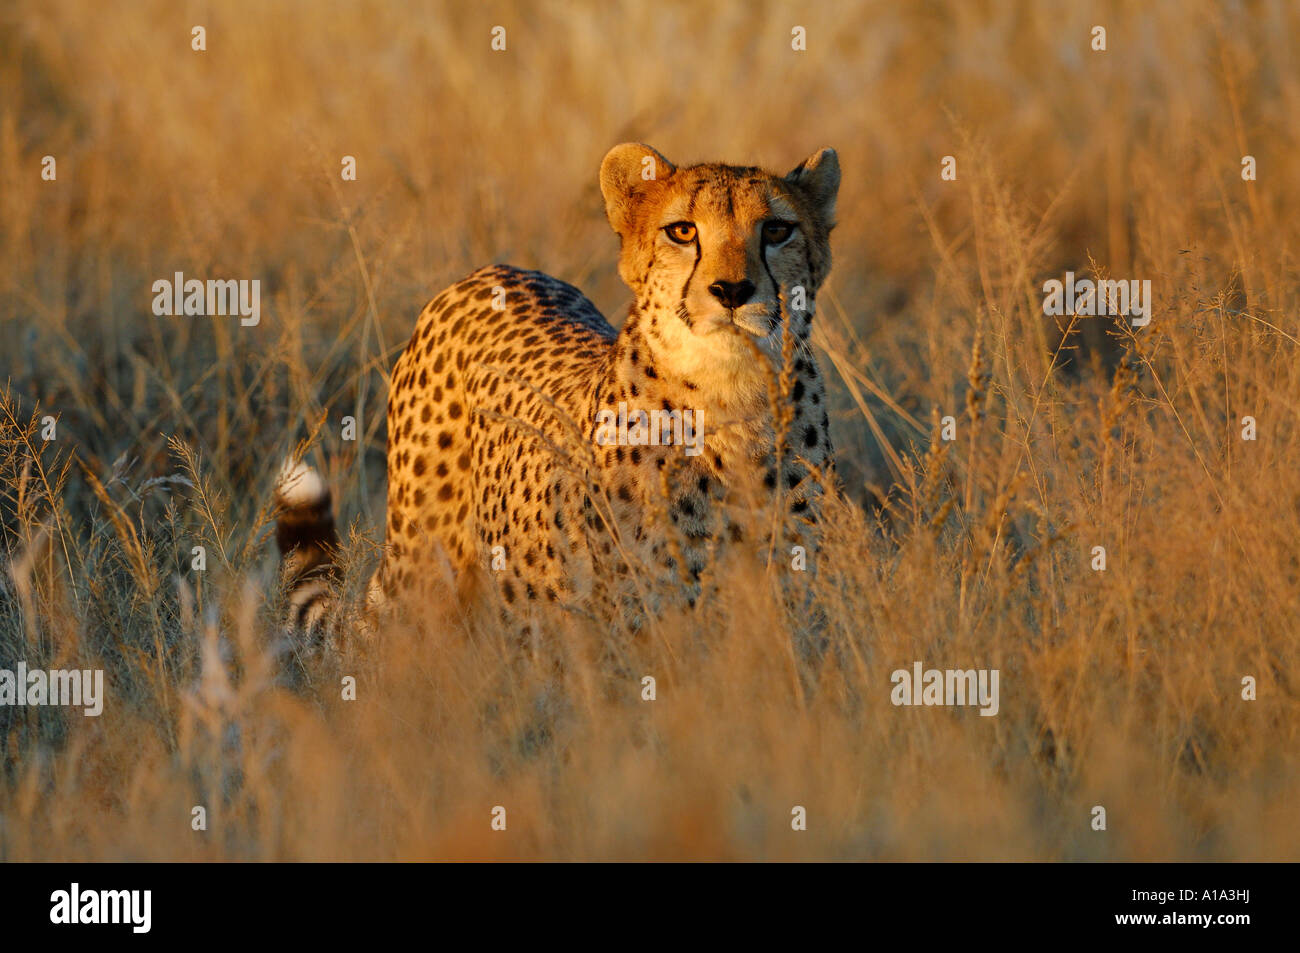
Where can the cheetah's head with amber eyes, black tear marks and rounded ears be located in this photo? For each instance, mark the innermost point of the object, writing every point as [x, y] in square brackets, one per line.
[713, 248]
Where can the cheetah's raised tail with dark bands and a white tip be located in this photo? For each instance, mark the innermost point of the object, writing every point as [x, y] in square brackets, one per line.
[307, 542]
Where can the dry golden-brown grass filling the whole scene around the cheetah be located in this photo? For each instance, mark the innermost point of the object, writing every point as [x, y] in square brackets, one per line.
[1119, 688]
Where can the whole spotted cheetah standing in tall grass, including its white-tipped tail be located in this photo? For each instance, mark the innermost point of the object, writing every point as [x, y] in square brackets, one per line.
[504, 460]
